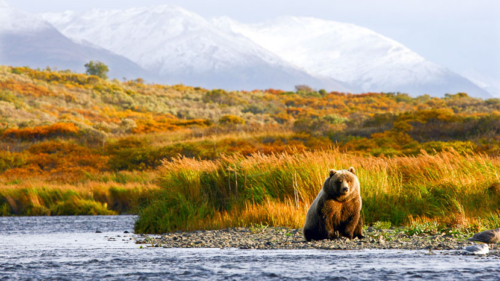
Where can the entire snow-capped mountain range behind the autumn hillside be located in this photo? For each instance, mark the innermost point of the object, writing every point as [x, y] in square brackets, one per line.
[168, 44]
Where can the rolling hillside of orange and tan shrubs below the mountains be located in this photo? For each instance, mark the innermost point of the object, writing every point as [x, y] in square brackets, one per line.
[371, 123]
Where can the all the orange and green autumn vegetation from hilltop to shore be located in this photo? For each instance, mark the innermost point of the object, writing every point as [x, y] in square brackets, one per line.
[189, 158]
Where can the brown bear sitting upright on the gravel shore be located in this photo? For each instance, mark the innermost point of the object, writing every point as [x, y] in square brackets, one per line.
[336, 210]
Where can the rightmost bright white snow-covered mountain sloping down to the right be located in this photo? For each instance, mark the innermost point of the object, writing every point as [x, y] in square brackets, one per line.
[352, 54]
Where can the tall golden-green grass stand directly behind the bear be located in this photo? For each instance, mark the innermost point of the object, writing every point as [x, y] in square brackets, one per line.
[448, 187]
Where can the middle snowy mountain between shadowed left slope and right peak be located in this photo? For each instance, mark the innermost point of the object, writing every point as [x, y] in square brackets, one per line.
[184, 47]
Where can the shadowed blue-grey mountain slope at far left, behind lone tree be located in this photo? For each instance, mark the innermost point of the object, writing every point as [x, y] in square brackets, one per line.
[28, 40]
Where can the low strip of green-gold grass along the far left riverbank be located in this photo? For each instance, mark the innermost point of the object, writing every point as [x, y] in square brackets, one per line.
[39, 198]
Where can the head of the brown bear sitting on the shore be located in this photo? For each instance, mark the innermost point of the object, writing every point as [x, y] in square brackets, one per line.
[342, 185]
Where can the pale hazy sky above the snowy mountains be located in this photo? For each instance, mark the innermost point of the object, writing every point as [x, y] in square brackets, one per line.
[461, 35]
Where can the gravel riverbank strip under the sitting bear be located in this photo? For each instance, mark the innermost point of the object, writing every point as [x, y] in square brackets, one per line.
[288, 238]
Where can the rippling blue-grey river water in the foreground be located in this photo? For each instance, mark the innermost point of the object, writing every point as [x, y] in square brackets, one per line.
[69, 248]
